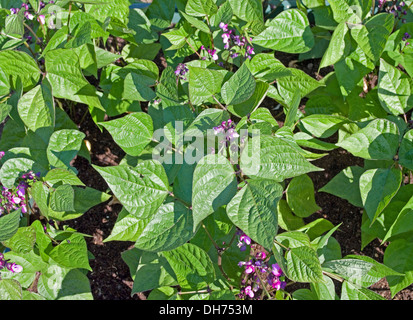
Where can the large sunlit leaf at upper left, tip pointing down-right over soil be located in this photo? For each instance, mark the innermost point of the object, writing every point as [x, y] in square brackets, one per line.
[67, 80]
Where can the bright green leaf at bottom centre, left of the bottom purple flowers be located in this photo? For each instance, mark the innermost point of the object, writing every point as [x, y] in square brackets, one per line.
[193, 267]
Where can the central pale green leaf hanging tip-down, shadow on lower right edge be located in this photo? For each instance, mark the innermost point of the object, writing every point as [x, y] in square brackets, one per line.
[214, 185]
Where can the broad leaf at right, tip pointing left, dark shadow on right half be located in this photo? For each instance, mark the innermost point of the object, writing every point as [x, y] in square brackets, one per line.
[378, 140]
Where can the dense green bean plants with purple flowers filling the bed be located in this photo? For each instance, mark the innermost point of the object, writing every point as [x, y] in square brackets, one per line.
[215, 185]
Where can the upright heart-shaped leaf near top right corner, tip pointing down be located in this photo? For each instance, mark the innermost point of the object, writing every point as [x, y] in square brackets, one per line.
[372, 36]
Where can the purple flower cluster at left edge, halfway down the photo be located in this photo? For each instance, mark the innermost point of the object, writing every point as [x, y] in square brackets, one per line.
[15, 198]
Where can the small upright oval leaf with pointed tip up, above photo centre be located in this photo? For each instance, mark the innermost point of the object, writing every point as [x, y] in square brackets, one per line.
[239, 87]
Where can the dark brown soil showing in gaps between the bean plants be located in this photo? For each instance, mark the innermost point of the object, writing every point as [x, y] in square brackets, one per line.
[111, 279]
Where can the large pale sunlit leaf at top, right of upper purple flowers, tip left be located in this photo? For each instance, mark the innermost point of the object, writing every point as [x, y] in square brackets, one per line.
[289, 32]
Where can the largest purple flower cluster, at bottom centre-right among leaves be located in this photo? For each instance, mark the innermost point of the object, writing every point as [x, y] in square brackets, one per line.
[258, 265]
